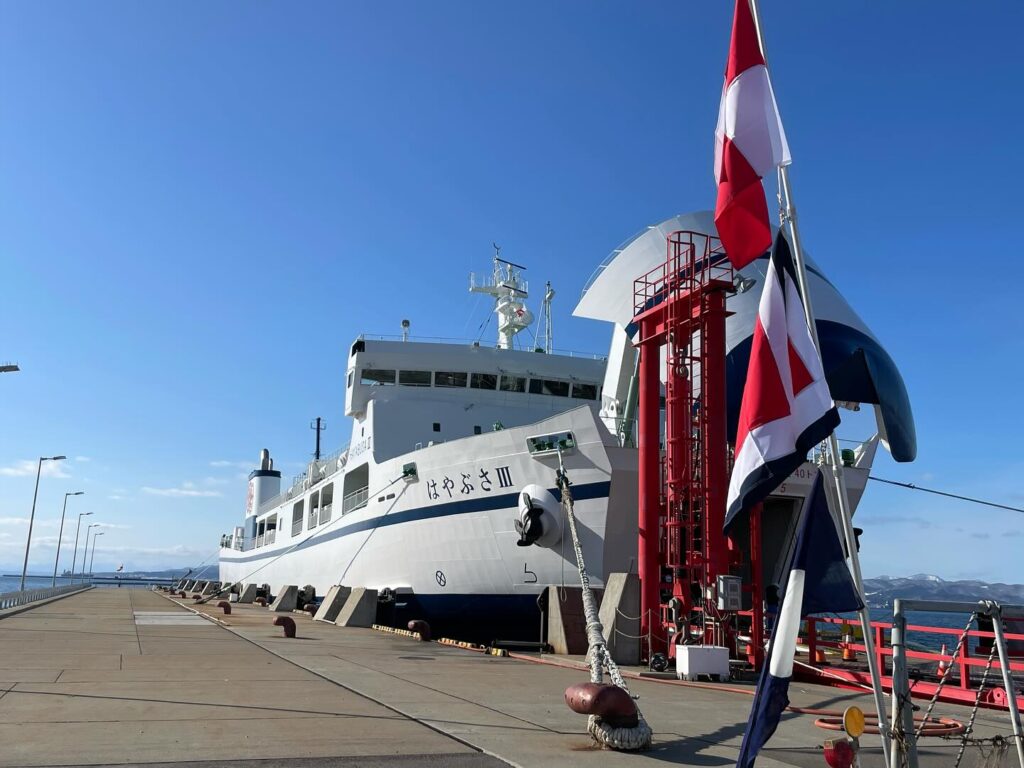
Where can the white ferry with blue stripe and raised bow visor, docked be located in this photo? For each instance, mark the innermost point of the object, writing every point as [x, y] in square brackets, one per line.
[445, 500]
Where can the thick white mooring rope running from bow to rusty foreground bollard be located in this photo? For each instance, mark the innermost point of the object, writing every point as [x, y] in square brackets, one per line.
[638, 737]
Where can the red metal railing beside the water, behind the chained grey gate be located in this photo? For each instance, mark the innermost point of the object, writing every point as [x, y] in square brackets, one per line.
[825, 637]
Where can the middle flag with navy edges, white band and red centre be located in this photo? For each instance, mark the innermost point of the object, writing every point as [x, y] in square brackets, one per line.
[787, 408]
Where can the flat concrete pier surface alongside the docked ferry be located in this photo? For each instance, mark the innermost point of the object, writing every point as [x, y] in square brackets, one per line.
[117, 676]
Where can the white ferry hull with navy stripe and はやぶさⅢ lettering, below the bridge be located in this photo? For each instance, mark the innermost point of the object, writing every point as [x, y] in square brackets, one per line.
[447, 540]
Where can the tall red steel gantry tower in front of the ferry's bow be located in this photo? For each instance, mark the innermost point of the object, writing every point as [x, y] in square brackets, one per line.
[680, 308]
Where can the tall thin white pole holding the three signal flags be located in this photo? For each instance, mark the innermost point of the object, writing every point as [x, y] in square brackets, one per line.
[788, 217]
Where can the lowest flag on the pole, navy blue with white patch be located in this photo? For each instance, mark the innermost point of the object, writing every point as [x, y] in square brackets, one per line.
[820, 582]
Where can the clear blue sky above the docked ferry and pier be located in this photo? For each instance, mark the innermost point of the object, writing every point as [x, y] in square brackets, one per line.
[202, 205]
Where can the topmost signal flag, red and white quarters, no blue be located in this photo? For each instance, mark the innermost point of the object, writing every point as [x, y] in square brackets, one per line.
[750, 143]
